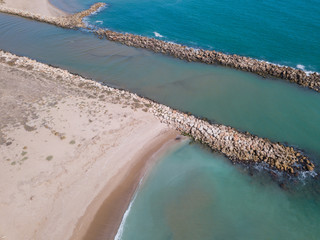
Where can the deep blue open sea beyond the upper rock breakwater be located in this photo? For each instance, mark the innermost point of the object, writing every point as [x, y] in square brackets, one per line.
[284, 32]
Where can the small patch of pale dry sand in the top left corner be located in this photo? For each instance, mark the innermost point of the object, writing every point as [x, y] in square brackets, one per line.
[42, 7]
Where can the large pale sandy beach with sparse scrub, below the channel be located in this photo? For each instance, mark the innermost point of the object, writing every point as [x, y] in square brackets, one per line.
[66, 149]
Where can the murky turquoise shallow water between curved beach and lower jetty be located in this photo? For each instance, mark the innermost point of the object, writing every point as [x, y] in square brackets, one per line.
[193, 194]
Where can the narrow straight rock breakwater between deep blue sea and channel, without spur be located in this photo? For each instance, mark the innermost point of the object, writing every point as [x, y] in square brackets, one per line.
[213, 57]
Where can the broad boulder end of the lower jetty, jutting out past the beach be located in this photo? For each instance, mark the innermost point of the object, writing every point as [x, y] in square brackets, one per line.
[237, 146]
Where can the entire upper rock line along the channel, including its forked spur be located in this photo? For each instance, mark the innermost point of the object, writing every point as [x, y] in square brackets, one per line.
[247, 64]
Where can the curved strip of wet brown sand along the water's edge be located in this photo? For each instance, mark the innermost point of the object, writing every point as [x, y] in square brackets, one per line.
[105, 214]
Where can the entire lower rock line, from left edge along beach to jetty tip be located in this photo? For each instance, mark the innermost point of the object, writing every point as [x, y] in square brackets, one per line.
[237, 146]
